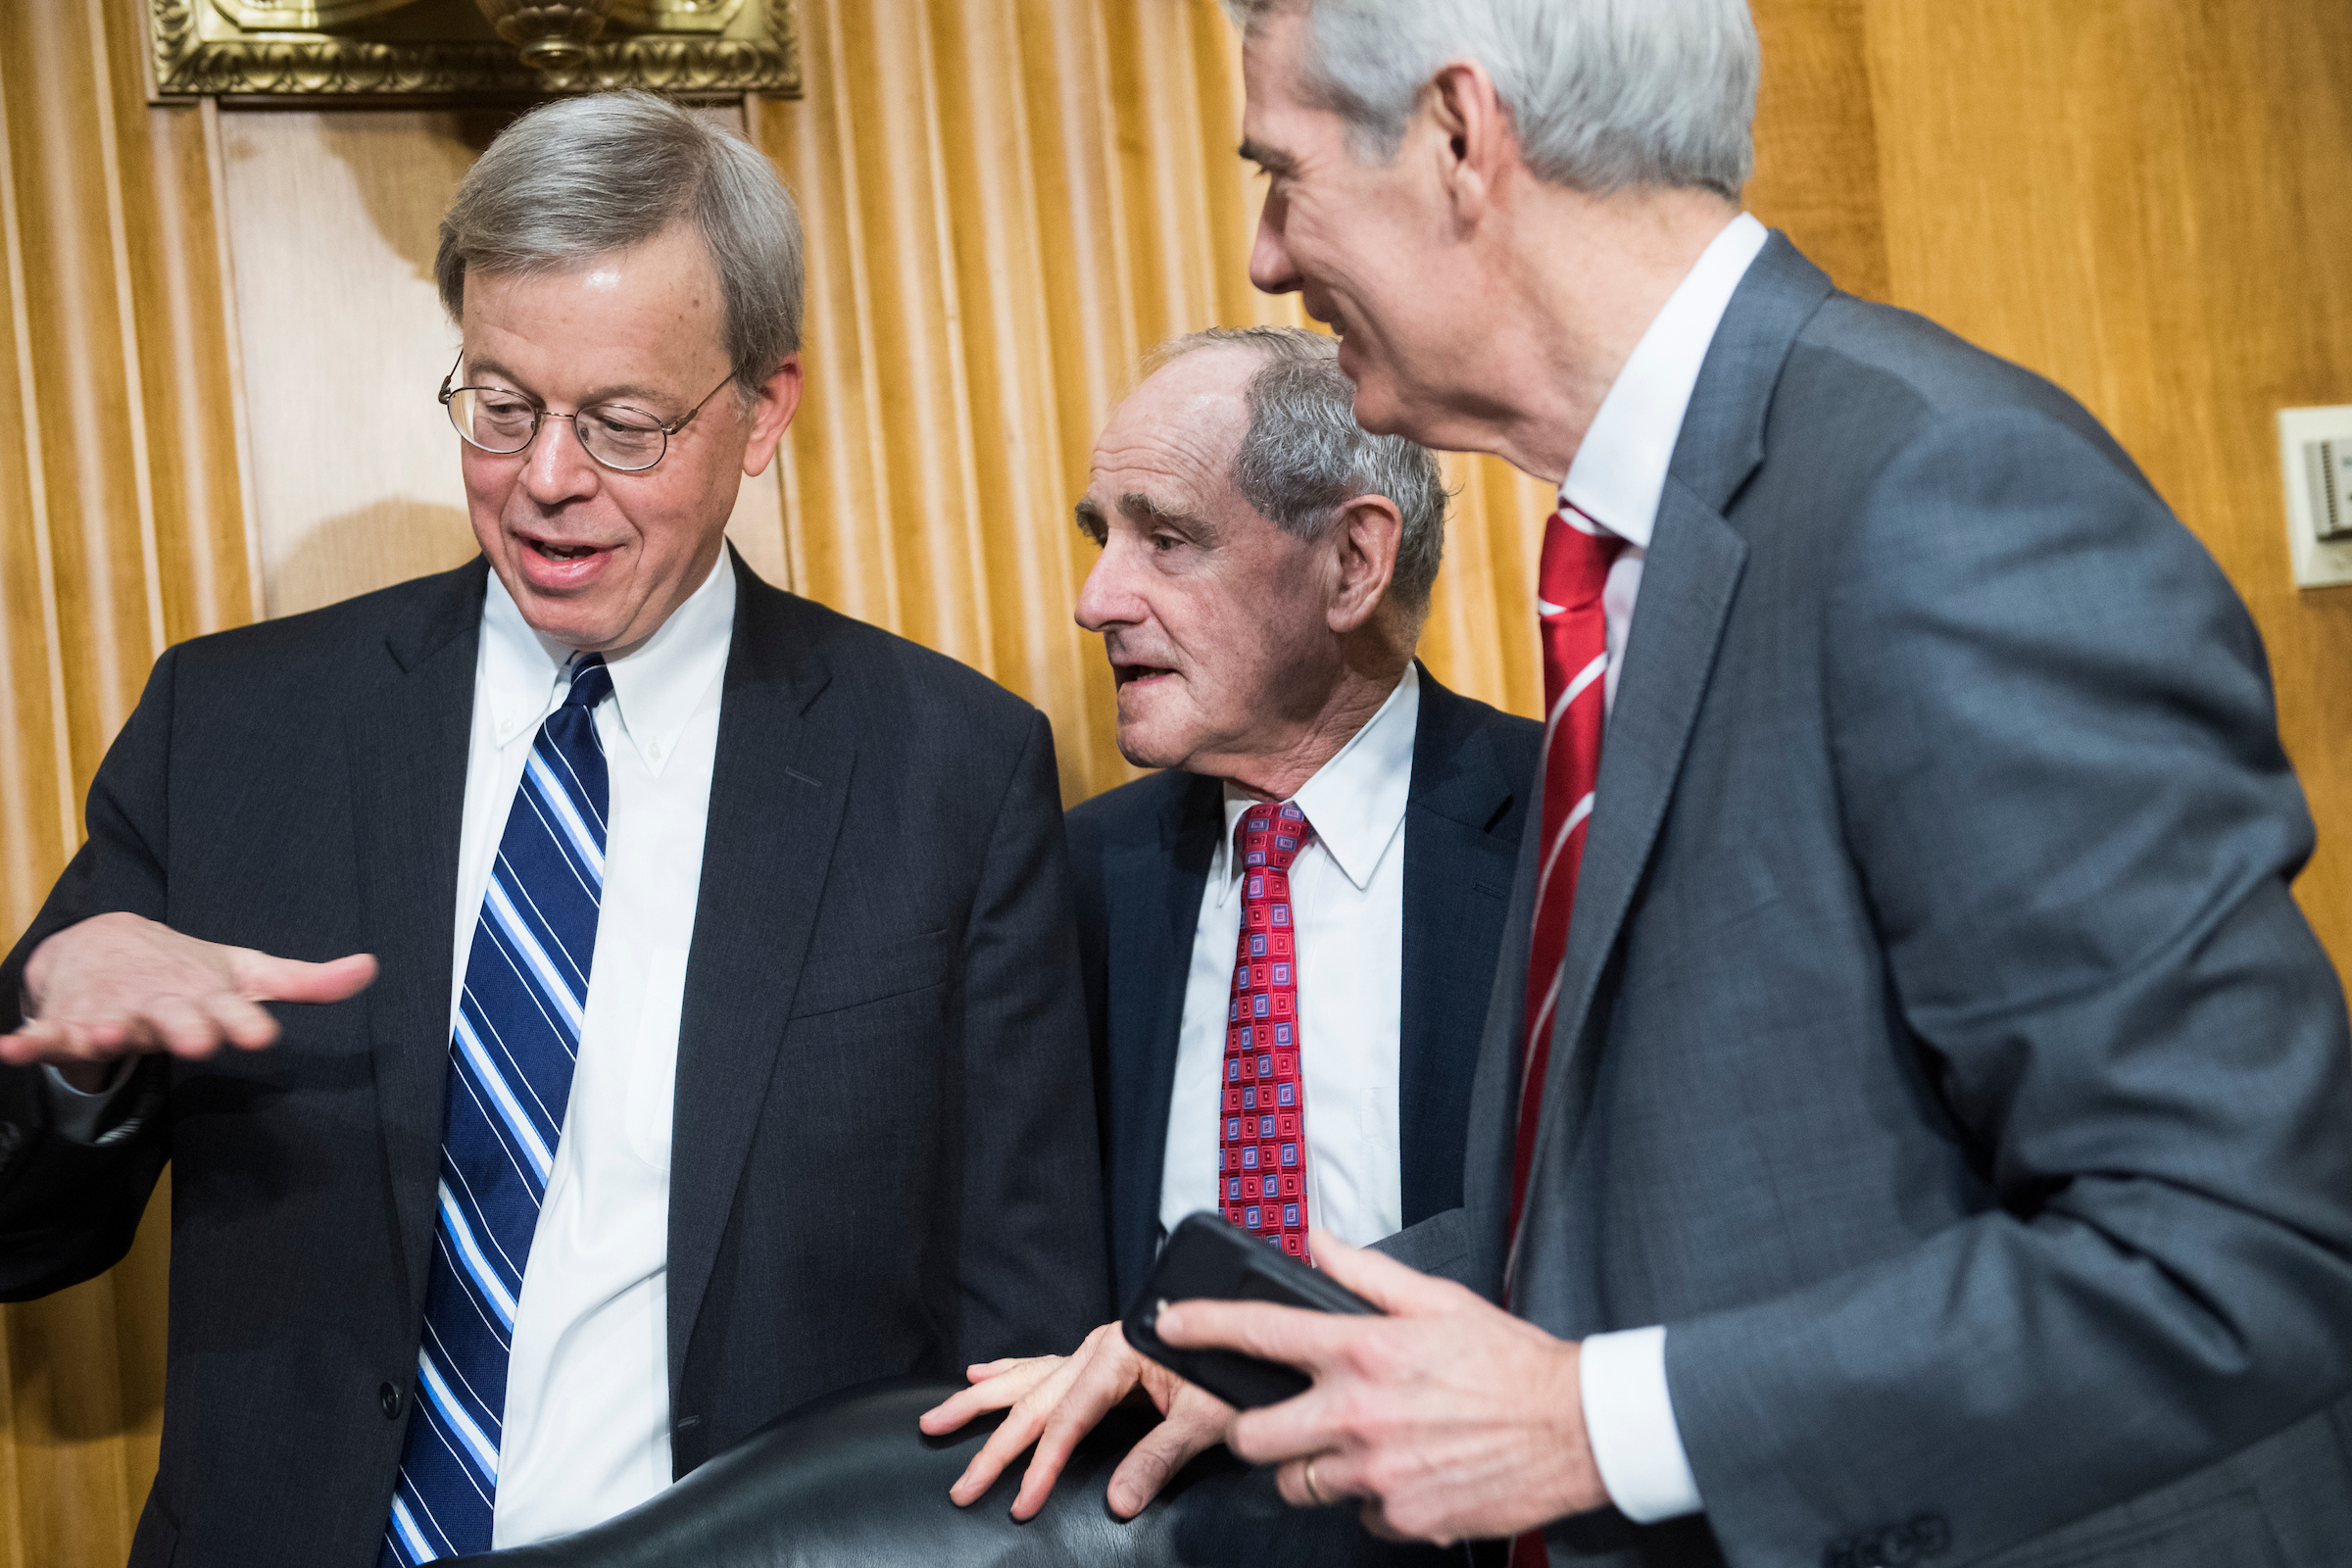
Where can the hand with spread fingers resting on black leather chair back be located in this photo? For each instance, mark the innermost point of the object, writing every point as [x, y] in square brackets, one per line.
[1060, 1400]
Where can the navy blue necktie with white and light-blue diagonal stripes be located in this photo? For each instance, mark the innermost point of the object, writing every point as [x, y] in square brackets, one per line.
[519, 1033]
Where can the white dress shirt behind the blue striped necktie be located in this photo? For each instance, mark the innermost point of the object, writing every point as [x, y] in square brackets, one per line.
[589, 1379]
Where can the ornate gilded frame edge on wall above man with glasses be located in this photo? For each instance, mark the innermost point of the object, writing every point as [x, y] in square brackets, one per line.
[469, 51]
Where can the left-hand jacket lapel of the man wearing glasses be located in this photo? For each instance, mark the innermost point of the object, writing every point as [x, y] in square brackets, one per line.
[410, 744]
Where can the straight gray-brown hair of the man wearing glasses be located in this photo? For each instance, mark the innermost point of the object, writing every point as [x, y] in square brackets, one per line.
[587, 177]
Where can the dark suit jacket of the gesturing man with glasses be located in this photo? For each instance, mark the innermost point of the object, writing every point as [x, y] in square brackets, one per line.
[883, 1153]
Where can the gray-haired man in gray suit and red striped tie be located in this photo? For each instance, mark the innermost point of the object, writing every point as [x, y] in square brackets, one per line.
[1916, 1123]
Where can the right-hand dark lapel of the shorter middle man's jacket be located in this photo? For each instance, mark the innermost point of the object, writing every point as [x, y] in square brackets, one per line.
[1457, 878]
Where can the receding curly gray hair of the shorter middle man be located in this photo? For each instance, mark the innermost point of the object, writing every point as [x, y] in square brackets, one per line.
[1304, 457]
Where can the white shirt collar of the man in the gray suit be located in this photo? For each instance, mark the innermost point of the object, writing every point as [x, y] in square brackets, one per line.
[1622, 464]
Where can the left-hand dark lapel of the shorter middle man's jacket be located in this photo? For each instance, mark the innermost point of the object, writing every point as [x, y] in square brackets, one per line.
[1156, 890]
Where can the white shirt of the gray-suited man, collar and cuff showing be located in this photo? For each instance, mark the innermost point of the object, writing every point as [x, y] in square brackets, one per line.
[1617, 481]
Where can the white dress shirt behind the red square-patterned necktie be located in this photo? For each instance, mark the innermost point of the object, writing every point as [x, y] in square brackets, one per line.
[1349, 923]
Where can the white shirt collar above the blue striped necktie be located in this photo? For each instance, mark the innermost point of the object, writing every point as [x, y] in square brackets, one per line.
[655, 688]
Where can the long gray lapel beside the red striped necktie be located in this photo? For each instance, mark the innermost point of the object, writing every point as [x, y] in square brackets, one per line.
[1688, 591]
